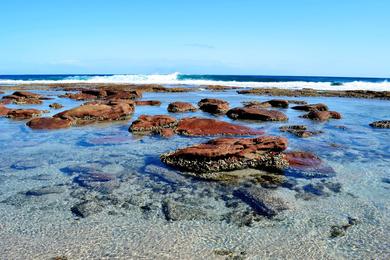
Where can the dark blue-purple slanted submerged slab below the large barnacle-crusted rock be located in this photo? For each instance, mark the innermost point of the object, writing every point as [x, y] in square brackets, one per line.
[261, 201]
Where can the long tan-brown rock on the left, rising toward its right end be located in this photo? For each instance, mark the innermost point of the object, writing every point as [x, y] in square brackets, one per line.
[90, 113]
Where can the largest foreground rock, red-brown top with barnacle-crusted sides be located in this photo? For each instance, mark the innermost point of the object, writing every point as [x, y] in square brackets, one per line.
[226, 154]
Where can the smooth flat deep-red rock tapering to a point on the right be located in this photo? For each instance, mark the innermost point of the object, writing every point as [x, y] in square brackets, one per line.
[204, 127]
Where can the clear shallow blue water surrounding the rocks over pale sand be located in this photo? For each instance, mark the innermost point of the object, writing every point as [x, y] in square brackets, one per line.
[131, 223]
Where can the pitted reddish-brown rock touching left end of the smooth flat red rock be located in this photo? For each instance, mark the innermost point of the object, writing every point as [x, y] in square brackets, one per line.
[146, 123]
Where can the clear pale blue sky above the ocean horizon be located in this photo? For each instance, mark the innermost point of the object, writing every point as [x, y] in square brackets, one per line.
[336, 38]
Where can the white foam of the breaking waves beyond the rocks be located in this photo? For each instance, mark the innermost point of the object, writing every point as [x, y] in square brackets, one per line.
[173, 79]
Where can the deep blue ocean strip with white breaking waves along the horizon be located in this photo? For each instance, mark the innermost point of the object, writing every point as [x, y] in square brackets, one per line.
[290, 82]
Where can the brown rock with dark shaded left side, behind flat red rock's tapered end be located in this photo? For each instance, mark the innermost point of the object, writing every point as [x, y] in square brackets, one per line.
[254, 113]
